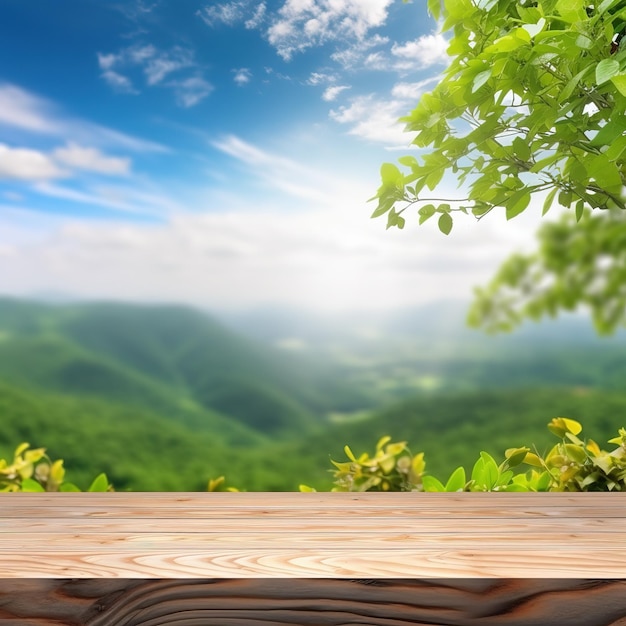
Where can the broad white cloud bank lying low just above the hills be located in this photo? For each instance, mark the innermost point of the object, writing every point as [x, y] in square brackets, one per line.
[321, 259]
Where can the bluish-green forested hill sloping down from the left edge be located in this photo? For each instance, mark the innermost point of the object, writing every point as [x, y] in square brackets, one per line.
[171, 359]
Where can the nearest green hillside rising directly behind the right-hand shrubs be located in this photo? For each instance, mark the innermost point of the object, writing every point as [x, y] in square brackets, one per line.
[451, 429]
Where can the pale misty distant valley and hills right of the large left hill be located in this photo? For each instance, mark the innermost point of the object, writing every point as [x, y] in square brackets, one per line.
[430, 350]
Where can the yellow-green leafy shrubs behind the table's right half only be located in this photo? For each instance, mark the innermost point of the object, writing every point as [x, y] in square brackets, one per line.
[571, 465]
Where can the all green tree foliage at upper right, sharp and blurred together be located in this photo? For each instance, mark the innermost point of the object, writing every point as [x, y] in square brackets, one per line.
[531, 107]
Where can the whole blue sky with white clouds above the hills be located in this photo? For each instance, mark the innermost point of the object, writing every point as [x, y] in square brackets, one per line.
[221, 154]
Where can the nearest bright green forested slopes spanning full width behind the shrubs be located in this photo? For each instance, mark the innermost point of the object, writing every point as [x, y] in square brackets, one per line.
[143, 451]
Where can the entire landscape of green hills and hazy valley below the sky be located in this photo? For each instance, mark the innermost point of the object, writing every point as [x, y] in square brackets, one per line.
[164, 397]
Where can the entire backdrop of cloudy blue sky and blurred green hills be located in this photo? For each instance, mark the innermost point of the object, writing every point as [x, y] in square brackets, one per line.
[191, 285]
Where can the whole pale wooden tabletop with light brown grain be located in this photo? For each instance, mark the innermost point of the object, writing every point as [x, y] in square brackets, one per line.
[313, 535]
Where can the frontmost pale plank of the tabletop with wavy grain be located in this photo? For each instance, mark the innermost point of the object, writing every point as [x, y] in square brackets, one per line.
[438, 561]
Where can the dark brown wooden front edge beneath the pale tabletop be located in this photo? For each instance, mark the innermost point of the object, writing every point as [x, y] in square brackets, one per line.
[312, 602]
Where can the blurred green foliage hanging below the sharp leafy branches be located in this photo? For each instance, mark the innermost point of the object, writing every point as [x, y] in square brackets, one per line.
[575, 264]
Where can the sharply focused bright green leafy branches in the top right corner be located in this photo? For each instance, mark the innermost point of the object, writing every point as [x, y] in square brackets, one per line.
[531, 105]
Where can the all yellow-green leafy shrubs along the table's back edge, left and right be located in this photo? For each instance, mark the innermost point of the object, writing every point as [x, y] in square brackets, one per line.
[571, 465]
